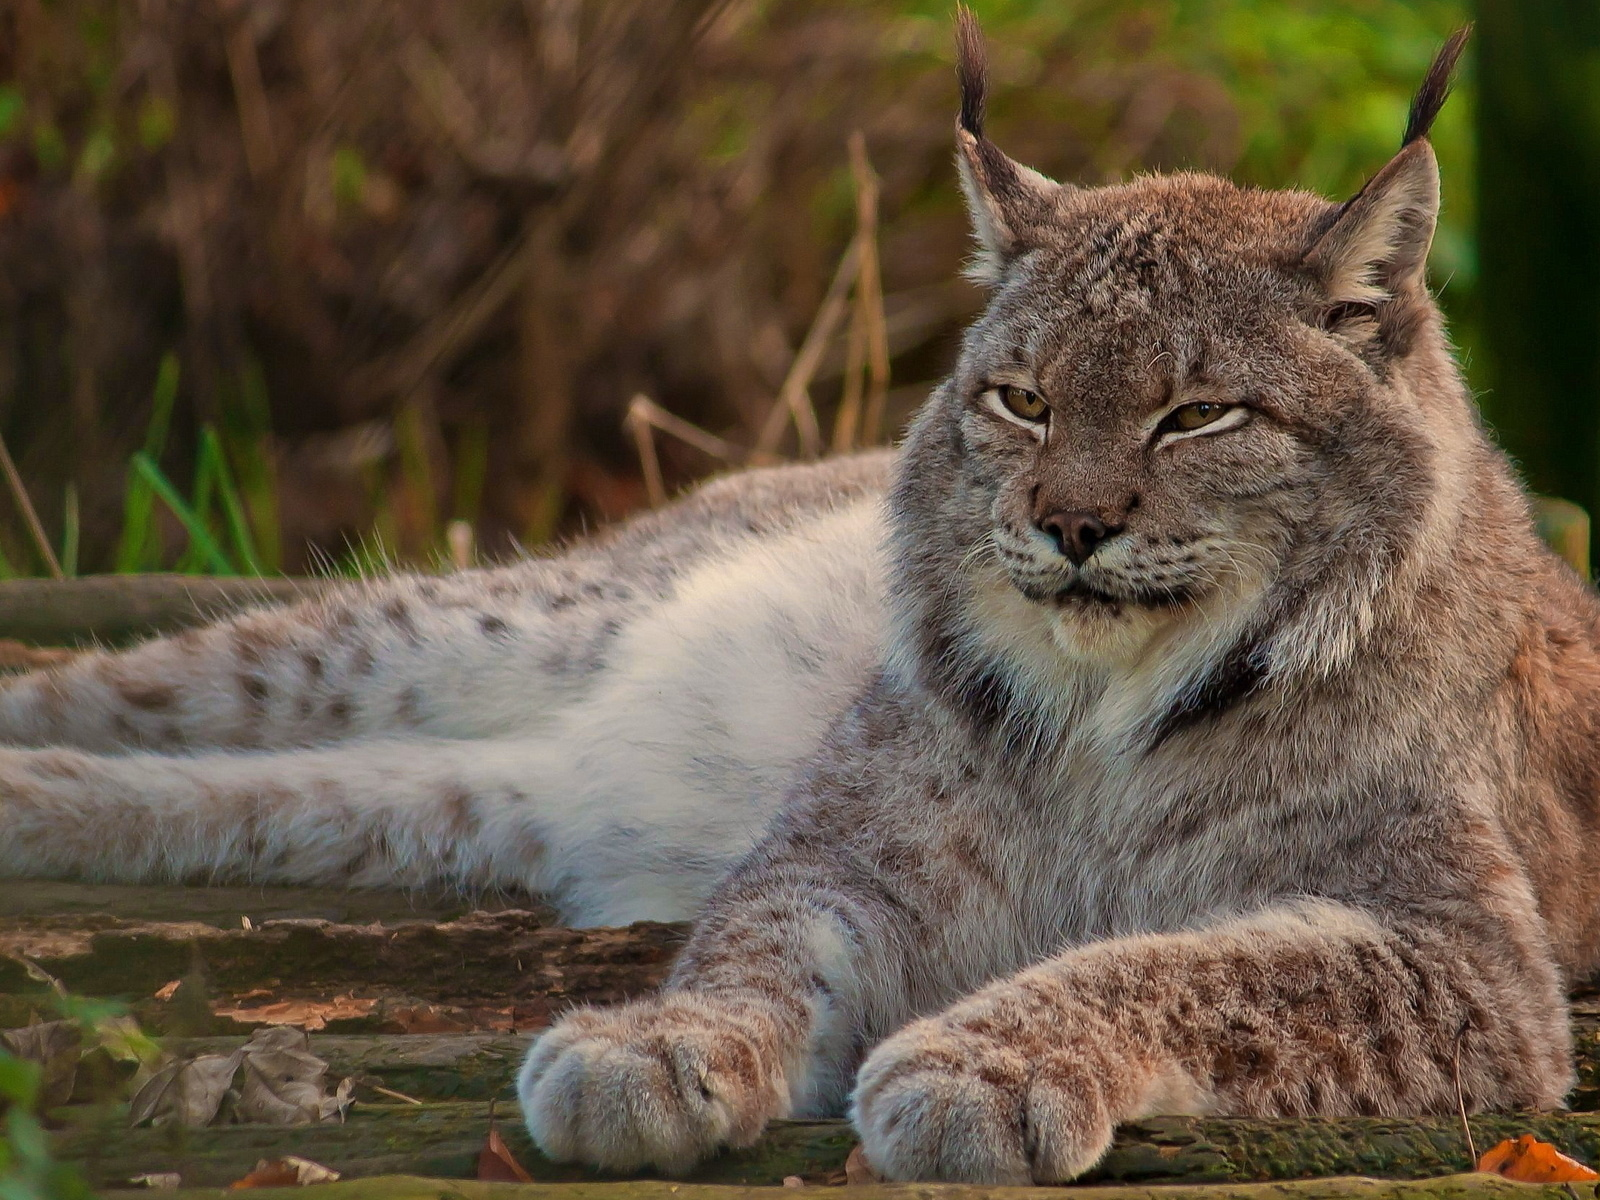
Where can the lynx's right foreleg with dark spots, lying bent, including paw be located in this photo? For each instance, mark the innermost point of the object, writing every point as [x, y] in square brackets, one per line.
[1306, 1010]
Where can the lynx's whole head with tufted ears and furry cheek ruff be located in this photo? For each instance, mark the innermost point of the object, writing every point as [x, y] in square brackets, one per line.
[1191, 415]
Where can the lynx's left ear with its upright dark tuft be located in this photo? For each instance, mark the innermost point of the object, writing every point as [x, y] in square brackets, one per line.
[1006, 199]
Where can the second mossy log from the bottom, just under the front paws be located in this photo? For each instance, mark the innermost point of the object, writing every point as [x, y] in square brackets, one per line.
[442, 1140]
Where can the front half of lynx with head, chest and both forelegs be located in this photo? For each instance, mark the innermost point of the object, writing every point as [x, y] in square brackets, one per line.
[1273, 804]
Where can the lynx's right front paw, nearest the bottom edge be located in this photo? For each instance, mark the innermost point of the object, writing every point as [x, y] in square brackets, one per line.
[938, 1102]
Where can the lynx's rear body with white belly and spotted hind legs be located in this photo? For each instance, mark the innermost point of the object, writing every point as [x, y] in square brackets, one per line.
[495, 729]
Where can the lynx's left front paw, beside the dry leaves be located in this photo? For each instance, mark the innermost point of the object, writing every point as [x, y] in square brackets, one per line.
[660, 1084]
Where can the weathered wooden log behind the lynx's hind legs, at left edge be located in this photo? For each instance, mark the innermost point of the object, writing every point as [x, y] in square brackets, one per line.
[119, 609]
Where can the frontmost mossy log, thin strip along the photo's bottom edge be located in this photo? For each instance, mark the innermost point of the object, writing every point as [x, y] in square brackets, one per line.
[414, 1188]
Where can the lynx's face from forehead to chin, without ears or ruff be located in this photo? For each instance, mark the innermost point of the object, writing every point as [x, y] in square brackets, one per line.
[1145, 436]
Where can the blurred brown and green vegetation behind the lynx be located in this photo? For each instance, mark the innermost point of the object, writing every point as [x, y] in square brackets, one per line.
[289, 284]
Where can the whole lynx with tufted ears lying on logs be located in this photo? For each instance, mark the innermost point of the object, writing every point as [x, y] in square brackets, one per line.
[1186, 719]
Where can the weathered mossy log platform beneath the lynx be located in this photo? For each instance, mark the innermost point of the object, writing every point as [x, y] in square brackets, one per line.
[422, 999]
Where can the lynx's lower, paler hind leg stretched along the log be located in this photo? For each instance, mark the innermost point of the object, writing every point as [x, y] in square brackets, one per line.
[374, 814]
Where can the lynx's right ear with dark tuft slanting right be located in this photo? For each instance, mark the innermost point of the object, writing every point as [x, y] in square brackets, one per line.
[1377, 246]
